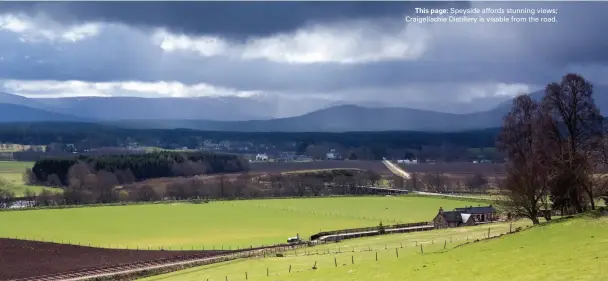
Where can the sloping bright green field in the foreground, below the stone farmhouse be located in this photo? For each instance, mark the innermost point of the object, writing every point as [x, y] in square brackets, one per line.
[575, 249]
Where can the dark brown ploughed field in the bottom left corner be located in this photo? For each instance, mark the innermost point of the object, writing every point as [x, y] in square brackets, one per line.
[22, 259]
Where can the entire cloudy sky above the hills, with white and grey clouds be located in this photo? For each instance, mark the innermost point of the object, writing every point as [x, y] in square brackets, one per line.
[336, 51]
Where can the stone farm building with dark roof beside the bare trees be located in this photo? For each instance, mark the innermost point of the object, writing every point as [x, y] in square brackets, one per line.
[466, 216]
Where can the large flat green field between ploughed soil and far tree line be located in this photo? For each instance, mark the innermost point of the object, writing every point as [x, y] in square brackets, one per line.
[216, 224]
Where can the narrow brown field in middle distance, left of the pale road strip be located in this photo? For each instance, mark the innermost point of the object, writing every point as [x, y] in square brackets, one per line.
[280, 167]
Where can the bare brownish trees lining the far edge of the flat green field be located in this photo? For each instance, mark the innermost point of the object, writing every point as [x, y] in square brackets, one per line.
[87, 186]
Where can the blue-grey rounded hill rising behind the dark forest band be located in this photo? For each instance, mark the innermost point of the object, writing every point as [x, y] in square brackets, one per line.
[342, 118]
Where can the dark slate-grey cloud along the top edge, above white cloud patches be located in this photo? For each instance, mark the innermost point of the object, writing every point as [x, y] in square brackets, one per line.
[233, 19]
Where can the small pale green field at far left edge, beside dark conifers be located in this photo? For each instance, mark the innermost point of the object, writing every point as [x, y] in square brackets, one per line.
[11, 178]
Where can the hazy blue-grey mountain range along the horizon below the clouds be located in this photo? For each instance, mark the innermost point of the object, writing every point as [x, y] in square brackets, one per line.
[226, 114]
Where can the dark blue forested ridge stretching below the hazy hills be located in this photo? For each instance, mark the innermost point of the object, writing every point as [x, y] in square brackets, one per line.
[88, 135]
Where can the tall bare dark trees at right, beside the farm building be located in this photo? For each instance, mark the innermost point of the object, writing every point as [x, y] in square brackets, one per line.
[557, 149]
